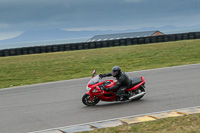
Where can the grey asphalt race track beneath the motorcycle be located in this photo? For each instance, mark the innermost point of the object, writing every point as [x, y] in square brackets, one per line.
[50, 105]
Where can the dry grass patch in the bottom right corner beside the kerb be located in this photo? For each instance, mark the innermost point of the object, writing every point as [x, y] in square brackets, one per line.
[185, 124]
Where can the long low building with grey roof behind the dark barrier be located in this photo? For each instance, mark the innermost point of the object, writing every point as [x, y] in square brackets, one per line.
[124, 35]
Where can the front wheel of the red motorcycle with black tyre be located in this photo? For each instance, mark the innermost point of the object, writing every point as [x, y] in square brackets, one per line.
[86, 99]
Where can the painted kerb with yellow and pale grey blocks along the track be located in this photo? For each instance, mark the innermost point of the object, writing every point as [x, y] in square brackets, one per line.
[123, 121]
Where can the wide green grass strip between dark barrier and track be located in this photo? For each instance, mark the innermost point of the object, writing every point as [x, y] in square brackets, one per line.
[48, 67]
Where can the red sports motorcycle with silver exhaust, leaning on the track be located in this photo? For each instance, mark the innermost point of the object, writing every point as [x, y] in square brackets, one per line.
[96, 91]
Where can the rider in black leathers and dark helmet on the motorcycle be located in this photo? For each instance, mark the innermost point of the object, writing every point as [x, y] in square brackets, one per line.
[123, 82]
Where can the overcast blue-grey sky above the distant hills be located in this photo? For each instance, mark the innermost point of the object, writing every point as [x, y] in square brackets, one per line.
[17, 16]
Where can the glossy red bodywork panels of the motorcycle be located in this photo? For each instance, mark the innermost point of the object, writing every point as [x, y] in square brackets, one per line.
[101, 94]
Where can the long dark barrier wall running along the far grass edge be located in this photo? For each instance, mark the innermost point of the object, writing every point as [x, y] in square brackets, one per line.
[99, 44]
